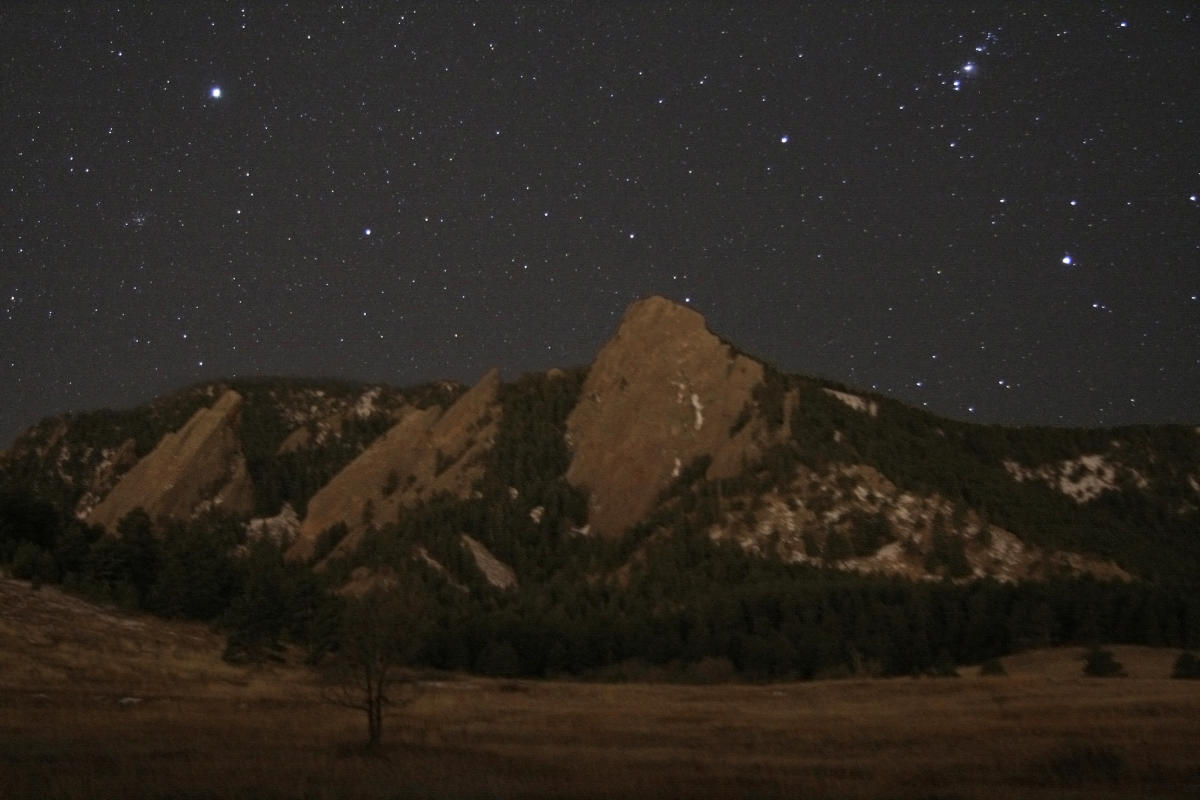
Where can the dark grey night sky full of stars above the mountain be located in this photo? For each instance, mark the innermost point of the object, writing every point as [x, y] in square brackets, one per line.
[988, 209]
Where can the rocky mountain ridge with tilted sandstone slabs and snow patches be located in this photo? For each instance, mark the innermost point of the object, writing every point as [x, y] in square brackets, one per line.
[670, 430]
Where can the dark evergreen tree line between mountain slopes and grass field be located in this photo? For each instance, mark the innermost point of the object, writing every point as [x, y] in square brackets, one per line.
[689, 603]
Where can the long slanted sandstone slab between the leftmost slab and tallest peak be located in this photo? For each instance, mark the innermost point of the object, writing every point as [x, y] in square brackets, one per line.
[427, 453]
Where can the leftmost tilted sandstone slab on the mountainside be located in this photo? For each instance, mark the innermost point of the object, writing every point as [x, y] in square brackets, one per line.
[196, 468]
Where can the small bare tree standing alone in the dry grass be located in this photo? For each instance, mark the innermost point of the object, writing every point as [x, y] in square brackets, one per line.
[379, 634]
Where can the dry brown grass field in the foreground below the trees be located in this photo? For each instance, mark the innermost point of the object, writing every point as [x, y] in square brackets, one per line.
[105, 705]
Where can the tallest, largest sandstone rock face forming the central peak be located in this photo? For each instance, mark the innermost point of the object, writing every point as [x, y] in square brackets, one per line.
[662, 393]
